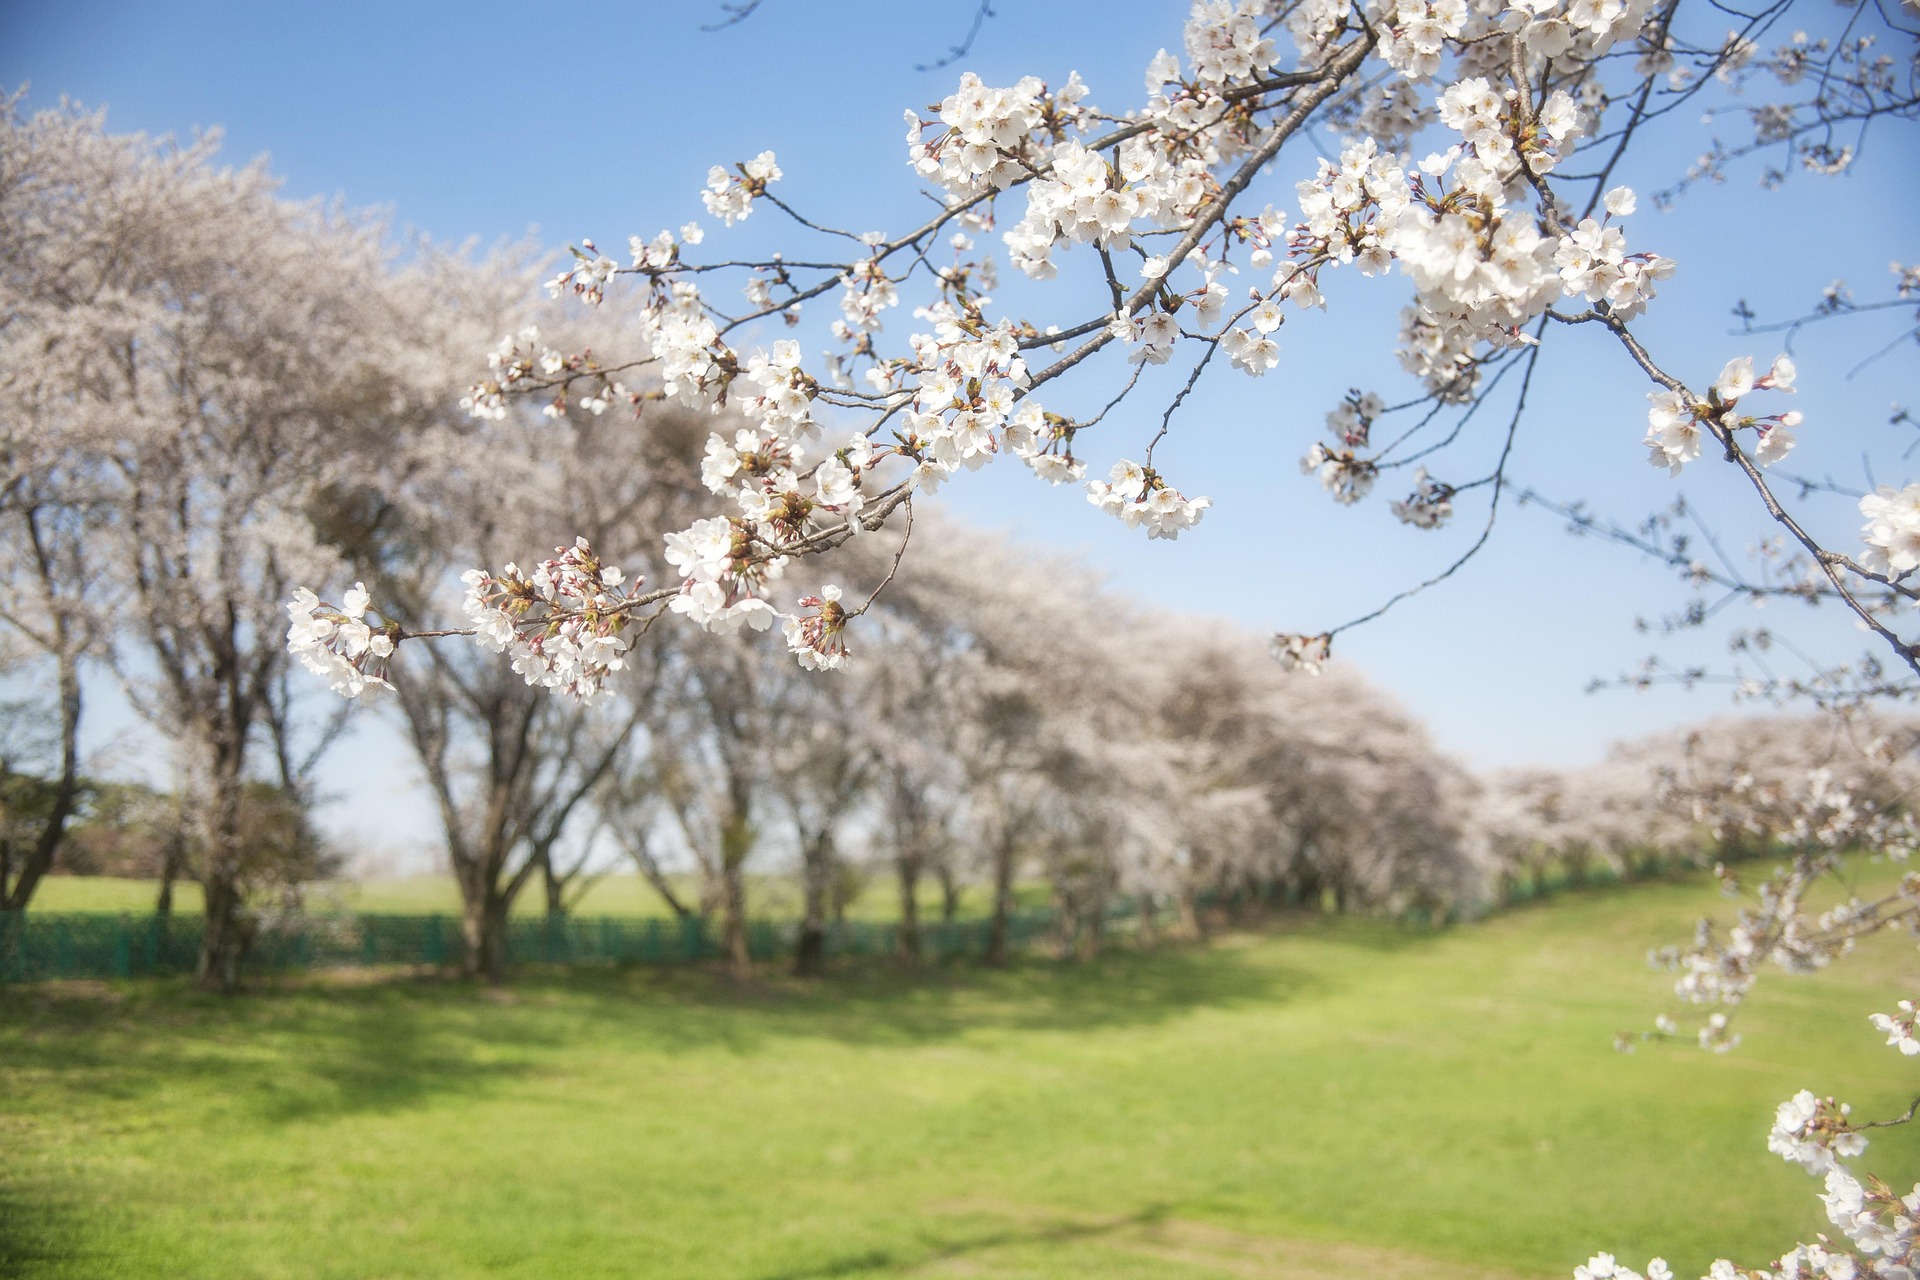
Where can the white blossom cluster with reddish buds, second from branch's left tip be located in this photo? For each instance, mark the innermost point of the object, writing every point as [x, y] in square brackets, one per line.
[564, 625]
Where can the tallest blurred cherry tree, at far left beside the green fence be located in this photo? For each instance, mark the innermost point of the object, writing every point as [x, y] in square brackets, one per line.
[193, 367]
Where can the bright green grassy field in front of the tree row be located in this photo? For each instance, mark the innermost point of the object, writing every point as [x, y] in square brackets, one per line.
[1318, 1099]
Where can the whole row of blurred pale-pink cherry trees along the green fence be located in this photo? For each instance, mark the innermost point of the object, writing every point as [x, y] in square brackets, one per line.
[212, 394]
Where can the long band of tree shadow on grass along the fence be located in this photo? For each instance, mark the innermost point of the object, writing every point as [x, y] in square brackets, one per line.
[320, 1047]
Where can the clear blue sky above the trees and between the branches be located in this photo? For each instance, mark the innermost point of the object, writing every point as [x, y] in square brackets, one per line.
[491, 122]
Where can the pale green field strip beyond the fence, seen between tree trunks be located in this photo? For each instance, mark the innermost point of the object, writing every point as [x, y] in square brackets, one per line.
[425, 895]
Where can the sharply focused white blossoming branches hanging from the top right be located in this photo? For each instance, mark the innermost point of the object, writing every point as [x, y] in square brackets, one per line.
[1460, 124]
